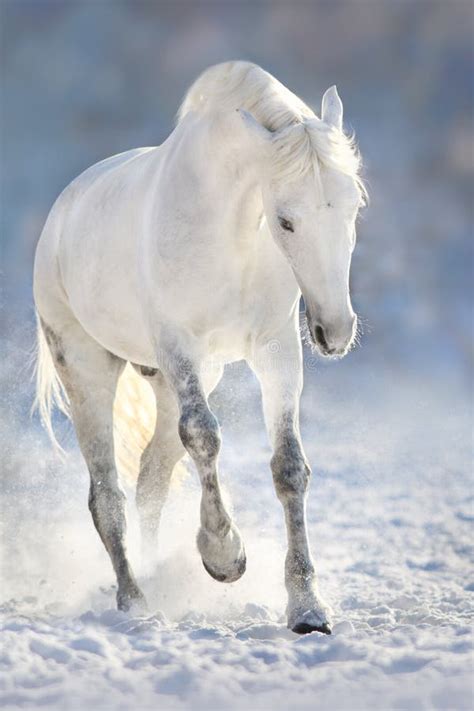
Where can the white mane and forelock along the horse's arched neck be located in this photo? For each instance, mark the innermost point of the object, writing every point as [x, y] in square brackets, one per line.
[235, 85]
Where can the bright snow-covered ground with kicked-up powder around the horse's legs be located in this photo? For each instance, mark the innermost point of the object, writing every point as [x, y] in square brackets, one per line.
[390, 511]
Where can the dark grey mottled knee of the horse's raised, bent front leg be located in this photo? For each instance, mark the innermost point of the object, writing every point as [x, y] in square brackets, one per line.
[199, 433]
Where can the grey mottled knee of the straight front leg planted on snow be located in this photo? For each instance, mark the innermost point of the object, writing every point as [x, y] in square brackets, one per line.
[291, 472]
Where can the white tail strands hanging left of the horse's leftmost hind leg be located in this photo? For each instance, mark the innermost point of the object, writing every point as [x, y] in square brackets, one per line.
[50, 391]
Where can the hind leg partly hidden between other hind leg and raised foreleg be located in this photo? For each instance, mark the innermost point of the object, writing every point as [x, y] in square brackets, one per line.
[157, 461]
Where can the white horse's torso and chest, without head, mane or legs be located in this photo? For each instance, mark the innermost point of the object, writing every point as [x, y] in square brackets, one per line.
[119, 223]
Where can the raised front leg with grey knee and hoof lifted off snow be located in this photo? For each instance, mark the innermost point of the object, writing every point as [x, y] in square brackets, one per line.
[218, 541]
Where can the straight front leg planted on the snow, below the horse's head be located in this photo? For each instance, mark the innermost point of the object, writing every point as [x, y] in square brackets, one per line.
[280, 376]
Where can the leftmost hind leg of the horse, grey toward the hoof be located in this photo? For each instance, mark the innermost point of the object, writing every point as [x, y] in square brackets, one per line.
[89, 374]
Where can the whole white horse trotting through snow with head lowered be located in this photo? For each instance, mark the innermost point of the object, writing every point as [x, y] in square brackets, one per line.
[180, 258]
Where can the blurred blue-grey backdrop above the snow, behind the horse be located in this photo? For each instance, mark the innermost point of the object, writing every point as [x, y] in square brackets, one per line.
[84, 80]
